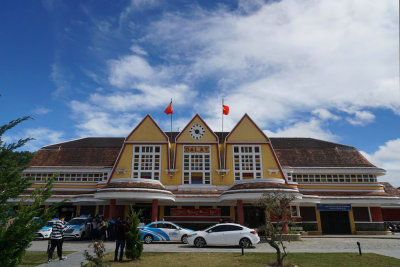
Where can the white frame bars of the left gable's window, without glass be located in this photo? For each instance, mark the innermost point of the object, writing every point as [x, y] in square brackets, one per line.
[153, 171]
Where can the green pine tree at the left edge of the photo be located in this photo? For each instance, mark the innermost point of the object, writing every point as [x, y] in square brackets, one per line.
[17, 224]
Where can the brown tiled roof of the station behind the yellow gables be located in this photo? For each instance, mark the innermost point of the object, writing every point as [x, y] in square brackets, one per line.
[291, 152]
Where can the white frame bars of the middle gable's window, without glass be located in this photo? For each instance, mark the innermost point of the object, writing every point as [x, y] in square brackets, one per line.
[190, 171]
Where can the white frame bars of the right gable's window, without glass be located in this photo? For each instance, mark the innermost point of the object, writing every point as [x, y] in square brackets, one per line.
[240, 153]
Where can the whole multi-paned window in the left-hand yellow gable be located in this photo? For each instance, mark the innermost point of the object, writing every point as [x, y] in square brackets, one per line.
[146, 161]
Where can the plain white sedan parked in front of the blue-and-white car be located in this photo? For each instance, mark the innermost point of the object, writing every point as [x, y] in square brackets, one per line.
[224, 234]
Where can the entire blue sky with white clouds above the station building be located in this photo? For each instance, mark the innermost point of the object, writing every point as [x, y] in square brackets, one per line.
[322, 69]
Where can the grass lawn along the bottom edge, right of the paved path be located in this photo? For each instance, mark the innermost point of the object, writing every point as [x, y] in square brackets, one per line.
[255, 259]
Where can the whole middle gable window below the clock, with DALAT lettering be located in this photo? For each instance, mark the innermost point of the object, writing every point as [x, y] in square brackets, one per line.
[196, 165]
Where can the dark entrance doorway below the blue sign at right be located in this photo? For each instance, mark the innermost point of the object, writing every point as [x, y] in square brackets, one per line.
[335, 222]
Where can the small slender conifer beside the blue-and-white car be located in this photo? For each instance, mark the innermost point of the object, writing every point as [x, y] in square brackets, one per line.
[134, 246]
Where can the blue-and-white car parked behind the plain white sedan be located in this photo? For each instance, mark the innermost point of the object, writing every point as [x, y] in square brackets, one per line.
[163, 231]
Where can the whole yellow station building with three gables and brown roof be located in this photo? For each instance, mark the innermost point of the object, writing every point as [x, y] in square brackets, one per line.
[197, 177]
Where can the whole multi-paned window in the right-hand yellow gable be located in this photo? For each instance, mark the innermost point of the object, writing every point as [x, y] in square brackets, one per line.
[247, 162]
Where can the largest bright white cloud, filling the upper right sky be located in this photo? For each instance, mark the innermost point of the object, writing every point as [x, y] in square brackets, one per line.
[291, 56]
